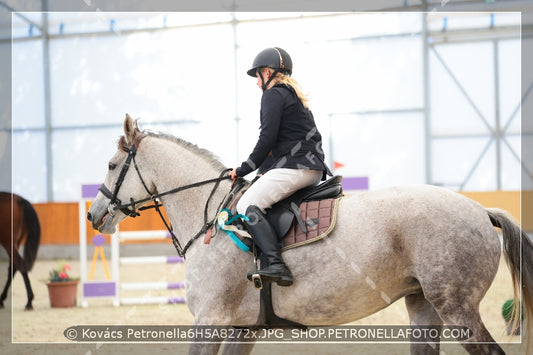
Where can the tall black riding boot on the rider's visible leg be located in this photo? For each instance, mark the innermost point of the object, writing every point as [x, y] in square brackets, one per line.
[266, 239]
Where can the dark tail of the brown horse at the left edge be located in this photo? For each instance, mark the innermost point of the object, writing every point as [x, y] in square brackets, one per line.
[33, 236]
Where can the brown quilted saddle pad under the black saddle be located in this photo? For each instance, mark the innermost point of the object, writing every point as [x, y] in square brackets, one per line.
[319, 217]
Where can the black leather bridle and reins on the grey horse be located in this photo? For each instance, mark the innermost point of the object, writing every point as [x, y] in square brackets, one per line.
[130, 210]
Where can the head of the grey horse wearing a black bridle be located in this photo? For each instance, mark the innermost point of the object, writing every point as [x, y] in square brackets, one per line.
[123, 187]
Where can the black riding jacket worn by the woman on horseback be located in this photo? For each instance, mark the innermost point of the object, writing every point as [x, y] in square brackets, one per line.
[288, 131]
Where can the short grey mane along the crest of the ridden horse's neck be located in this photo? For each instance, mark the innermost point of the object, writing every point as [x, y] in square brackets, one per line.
[204, 153]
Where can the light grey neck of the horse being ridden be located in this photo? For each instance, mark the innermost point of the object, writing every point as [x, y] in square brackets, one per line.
[172, 166]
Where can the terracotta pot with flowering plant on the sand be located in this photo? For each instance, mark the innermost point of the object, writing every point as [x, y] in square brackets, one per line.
[62, 288]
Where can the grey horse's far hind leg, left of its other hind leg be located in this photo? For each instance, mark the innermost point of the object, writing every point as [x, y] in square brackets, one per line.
[422, 313]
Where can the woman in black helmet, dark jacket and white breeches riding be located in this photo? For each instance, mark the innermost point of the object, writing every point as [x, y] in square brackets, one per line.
[288, 132]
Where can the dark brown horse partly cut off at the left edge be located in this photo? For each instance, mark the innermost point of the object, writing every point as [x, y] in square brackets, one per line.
[19, 224]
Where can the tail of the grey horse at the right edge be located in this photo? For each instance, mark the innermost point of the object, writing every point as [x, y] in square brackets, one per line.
[518, 249]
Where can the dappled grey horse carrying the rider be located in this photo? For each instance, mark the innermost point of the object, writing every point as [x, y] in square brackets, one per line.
[436, 248]
